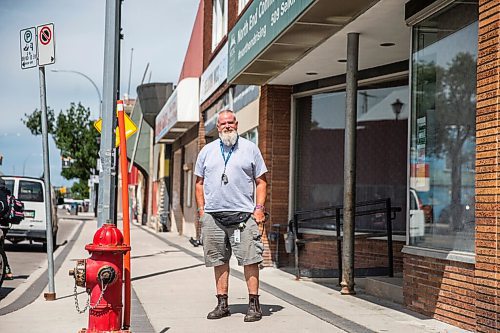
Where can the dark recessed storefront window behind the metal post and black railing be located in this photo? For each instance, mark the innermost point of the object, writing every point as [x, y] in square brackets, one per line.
[382, 145]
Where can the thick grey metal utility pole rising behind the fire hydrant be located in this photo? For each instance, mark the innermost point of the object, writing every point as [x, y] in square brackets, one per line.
[107, 205]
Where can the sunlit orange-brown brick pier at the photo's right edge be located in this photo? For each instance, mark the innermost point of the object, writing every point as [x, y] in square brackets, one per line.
[487, 277]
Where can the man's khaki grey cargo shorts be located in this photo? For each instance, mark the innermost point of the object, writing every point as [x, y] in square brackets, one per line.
[219, 242]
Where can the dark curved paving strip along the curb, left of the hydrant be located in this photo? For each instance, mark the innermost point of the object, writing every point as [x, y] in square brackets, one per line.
[34, 289]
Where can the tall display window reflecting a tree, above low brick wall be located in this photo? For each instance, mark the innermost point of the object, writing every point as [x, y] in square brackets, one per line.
[442, 149]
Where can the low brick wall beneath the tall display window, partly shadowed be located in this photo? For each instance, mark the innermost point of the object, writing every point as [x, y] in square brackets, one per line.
[441, 289]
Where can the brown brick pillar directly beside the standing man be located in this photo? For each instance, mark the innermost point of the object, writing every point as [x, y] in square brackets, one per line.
[274, 142]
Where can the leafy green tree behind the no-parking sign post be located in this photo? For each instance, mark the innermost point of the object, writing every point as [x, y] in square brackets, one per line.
[74, 135]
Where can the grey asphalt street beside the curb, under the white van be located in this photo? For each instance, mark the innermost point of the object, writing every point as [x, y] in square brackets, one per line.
[25, 258]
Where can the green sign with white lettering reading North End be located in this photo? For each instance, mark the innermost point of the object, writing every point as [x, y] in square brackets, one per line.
[259, 26]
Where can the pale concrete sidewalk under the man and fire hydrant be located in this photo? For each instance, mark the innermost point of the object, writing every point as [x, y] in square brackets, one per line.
[173, 292]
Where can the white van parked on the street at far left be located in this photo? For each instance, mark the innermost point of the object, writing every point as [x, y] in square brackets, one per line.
[31, 191]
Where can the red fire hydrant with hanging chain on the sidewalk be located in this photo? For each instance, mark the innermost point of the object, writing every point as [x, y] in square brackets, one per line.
[102, 276]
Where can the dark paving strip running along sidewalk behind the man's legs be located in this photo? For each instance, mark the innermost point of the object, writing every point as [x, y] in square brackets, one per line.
[315, 310]
